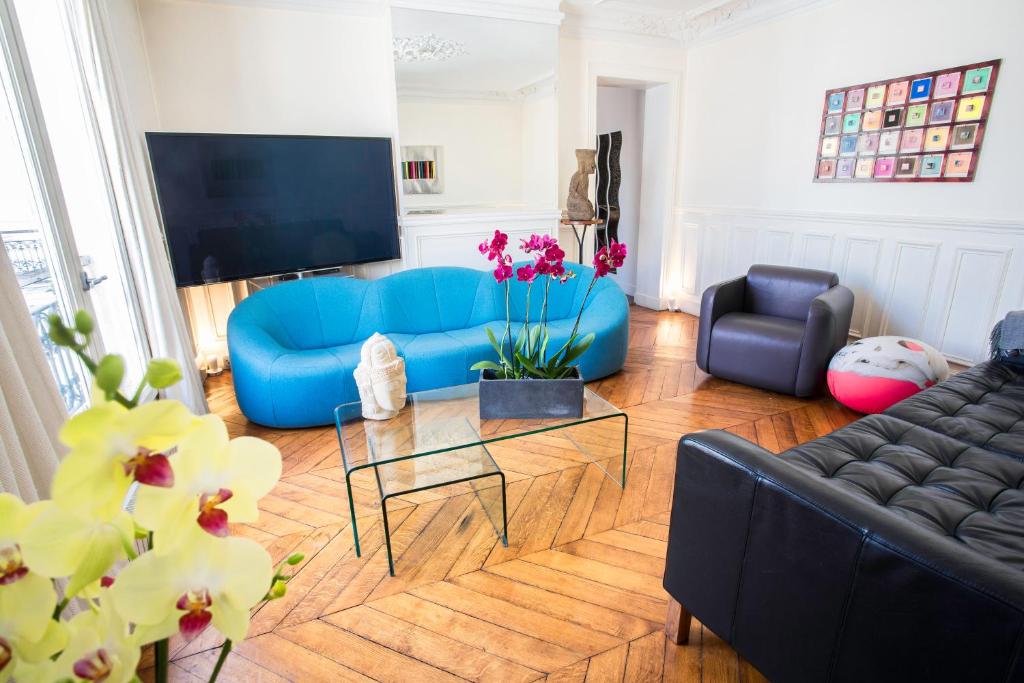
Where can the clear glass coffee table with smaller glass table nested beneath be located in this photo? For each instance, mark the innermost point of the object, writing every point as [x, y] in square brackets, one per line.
[440, 440]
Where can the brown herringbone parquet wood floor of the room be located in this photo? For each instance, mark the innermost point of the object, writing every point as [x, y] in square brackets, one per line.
[577, 595]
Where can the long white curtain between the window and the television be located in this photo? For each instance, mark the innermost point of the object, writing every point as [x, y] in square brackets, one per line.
[166, 331]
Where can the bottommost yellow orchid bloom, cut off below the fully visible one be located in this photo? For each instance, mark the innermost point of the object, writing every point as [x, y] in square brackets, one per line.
[101, 649]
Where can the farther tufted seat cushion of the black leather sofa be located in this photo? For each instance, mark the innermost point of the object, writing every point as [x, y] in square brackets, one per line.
[983, 406]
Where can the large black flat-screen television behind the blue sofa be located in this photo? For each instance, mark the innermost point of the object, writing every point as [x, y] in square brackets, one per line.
[247, 206]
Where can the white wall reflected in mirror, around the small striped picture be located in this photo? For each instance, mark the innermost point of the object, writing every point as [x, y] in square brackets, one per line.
[483, 142]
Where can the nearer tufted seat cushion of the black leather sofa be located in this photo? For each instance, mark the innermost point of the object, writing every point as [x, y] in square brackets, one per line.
[966, 493]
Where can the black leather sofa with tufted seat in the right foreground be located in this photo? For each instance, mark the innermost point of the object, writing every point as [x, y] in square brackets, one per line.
[890, 550]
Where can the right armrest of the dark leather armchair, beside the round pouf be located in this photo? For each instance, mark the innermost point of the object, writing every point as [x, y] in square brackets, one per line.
[827, 331]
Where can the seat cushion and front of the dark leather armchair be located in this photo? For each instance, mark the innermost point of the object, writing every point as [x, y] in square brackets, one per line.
[762, 351]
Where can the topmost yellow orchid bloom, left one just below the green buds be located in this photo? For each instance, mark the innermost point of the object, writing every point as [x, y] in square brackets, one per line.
[112, 446]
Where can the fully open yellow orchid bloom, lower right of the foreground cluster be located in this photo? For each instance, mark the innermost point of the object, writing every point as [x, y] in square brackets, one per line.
[205, 580]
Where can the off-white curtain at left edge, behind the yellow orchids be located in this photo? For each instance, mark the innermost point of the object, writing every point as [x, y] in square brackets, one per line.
[31, 408]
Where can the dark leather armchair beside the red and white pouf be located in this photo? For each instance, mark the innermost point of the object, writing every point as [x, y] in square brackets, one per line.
[777, 328]
